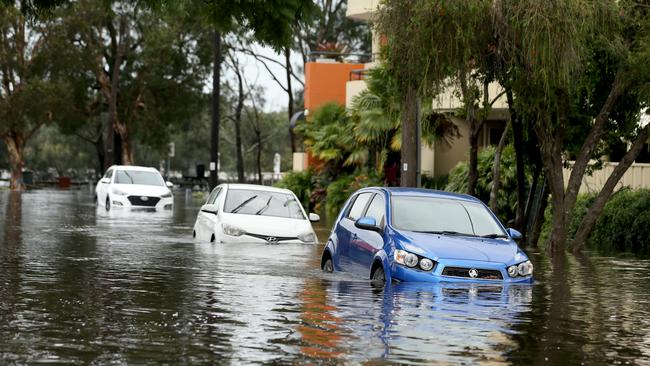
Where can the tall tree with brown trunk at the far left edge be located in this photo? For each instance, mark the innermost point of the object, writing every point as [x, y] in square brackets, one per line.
[32, 93]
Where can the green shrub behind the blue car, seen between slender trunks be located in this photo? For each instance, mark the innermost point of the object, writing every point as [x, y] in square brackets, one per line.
[507, 197]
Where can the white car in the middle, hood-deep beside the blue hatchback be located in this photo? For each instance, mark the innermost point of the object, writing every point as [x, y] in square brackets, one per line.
[244, 213]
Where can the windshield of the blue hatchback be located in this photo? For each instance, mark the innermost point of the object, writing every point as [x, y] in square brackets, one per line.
[440, 215]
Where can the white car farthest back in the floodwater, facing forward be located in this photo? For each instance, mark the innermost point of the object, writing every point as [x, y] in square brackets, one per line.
[133, 187]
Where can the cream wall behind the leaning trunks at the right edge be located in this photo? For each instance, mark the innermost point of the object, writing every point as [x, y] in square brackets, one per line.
[637, 176]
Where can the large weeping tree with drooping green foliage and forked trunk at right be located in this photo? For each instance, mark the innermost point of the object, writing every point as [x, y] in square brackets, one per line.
[568, 66]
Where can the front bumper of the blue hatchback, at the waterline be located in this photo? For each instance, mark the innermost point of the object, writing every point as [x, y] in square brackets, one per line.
[448, 270]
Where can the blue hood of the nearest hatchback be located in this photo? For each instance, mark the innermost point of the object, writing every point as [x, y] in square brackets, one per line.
[460, 247]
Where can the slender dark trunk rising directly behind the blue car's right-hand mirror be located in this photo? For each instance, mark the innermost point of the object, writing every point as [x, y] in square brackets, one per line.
[518, 142]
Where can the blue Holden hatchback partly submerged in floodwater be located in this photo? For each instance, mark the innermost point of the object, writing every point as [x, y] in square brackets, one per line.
[422, 235]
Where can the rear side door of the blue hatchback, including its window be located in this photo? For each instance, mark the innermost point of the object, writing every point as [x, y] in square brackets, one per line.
[346, 232]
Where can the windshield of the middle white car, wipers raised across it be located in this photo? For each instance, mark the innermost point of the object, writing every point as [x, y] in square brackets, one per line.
[253, 202]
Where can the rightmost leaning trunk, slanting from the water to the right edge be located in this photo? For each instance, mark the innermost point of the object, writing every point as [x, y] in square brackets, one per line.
[588, 222]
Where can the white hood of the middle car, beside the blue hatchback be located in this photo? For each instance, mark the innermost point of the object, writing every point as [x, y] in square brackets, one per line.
[268, 225]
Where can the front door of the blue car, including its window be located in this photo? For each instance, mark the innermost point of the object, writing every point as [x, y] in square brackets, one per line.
[368, 242]
